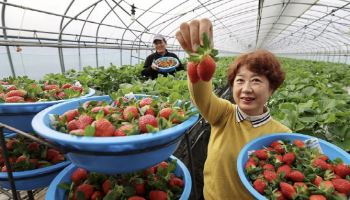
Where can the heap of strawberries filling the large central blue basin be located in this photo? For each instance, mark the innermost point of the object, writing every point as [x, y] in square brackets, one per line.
[123, 117]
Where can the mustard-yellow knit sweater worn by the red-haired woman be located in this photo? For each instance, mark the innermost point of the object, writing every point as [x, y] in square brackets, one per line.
[228, 137]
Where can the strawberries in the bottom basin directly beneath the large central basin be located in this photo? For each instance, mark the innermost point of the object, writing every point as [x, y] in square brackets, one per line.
[155, 183]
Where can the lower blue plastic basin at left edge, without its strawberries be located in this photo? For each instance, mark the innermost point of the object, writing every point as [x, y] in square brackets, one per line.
[33, 179]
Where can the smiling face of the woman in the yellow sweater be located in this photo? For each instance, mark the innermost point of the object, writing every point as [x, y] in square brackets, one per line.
[251, 91]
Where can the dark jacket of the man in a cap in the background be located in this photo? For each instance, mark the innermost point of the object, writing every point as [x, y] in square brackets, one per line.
[153, 74]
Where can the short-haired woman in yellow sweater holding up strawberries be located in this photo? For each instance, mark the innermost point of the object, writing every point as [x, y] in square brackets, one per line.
[253, 77]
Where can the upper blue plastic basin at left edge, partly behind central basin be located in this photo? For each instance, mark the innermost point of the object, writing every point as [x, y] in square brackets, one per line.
[20, 115]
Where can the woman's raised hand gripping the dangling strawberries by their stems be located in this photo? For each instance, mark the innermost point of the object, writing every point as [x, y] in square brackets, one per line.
[190, 36]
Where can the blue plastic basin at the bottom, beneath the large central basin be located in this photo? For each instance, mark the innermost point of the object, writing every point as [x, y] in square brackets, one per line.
[56, 193]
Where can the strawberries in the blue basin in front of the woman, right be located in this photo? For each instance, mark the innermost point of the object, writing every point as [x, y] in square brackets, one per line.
[286, 170]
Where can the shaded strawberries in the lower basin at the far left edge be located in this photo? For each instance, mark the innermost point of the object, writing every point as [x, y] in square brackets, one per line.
[25, 154]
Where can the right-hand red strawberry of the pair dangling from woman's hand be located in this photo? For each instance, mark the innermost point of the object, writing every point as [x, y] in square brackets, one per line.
[206, 68]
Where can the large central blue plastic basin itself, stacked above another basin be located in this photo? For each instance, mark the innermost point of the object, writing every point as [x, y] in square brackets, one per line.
[94, 161]
